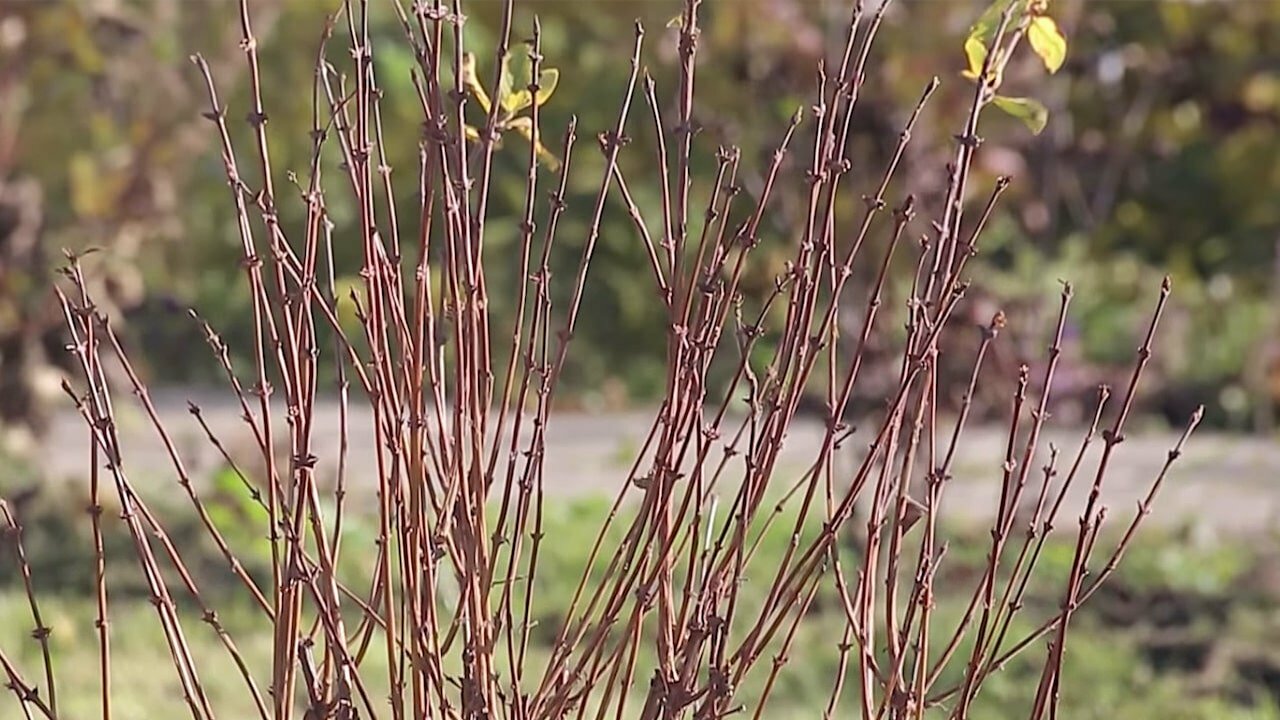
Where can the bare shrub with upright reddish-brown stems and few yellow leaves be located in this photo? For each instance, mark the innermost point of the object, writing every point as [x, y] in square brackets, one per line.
[659, 626]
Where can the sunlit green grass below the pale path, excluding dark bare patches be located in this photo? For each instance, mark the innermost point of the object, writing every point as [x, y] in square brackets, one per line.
[1112, 671]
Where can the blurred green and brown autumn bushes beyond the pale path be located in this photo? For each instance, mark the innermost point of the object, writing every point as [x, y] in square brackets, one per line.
[1163, 153]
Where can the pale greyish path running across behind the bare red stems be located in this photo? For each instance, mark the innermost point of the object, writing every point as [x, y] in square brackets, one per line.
[1226, 484]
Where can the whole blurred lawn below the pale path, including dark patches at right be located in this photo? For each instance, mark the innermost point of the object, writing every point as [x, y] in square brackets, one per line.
[1185, 631]
